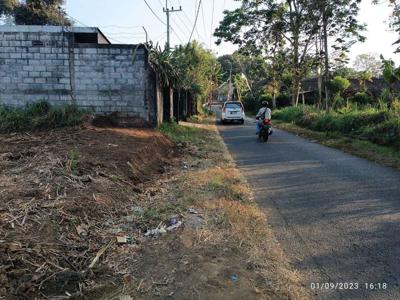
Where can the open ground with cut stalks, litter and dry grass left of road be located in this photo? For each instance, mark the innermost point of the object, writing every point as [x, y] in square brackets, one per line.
[88, 212]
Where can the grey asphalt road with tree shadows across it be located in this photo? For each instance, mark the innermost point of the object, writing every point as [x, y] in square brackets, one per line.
[337, 216]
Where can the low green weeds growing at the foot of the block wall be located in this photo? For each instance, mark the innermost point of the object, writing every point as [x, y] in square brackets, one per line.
[39, 116]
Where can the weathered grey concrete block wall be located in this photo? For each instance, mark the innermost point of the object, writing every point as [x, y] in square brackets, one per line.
[41, 64]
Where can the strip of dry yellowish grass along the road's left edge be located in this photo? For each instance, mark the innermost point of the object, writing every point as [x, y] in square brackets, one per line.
[233, 218]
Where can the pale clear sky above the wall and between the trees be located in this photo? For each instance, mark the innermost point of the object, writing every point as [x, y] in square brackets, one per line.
[121, 20]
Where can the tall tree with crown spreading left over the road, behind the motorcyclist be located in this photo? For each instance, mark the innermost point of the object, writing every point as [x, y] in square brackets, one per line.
[258, 24]
